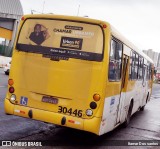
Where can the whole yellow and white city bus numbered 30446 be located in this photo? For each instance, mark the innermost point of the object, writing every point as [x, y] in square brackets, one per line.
[76, 72]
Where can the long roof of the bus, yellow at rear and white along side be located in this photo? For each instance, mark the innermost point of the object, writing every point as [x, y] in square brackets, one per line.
[86, 19]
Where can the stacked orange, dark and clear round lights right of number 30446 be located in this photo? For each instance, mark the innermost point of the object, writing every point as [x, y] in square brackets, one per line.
[93, 104]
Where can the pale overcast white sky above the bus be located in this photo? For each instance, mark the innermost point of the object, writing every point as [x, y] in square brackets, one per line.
[137, 20]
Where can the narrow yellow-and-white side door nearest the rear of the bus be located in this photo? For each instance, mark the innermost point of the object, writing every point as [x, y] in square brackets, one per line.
[123, 88]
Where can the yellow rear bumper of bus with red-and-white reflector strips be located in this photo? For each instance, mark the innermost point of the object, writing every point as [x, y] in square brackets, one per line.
[90, 125]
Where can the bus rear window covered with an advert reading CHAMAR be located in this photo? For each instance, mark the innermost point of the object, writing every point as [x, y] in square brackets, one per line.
[61, 38]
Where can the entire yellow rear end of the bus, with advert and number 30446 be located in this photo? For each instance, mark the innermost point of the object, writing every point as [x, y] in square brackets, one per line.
[58, 71]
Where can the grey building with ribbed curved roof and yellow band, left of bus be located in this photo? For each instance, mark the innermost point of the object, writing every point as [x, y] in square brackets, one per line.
[10, 13]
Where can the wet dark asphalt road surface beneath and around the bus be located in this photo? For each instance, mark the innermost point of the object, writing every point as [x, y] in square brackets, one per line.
[144, 125]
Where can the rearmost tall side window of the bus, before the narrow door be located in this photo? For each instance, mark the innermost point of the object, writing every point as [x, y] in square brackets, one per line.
[115, 61]
